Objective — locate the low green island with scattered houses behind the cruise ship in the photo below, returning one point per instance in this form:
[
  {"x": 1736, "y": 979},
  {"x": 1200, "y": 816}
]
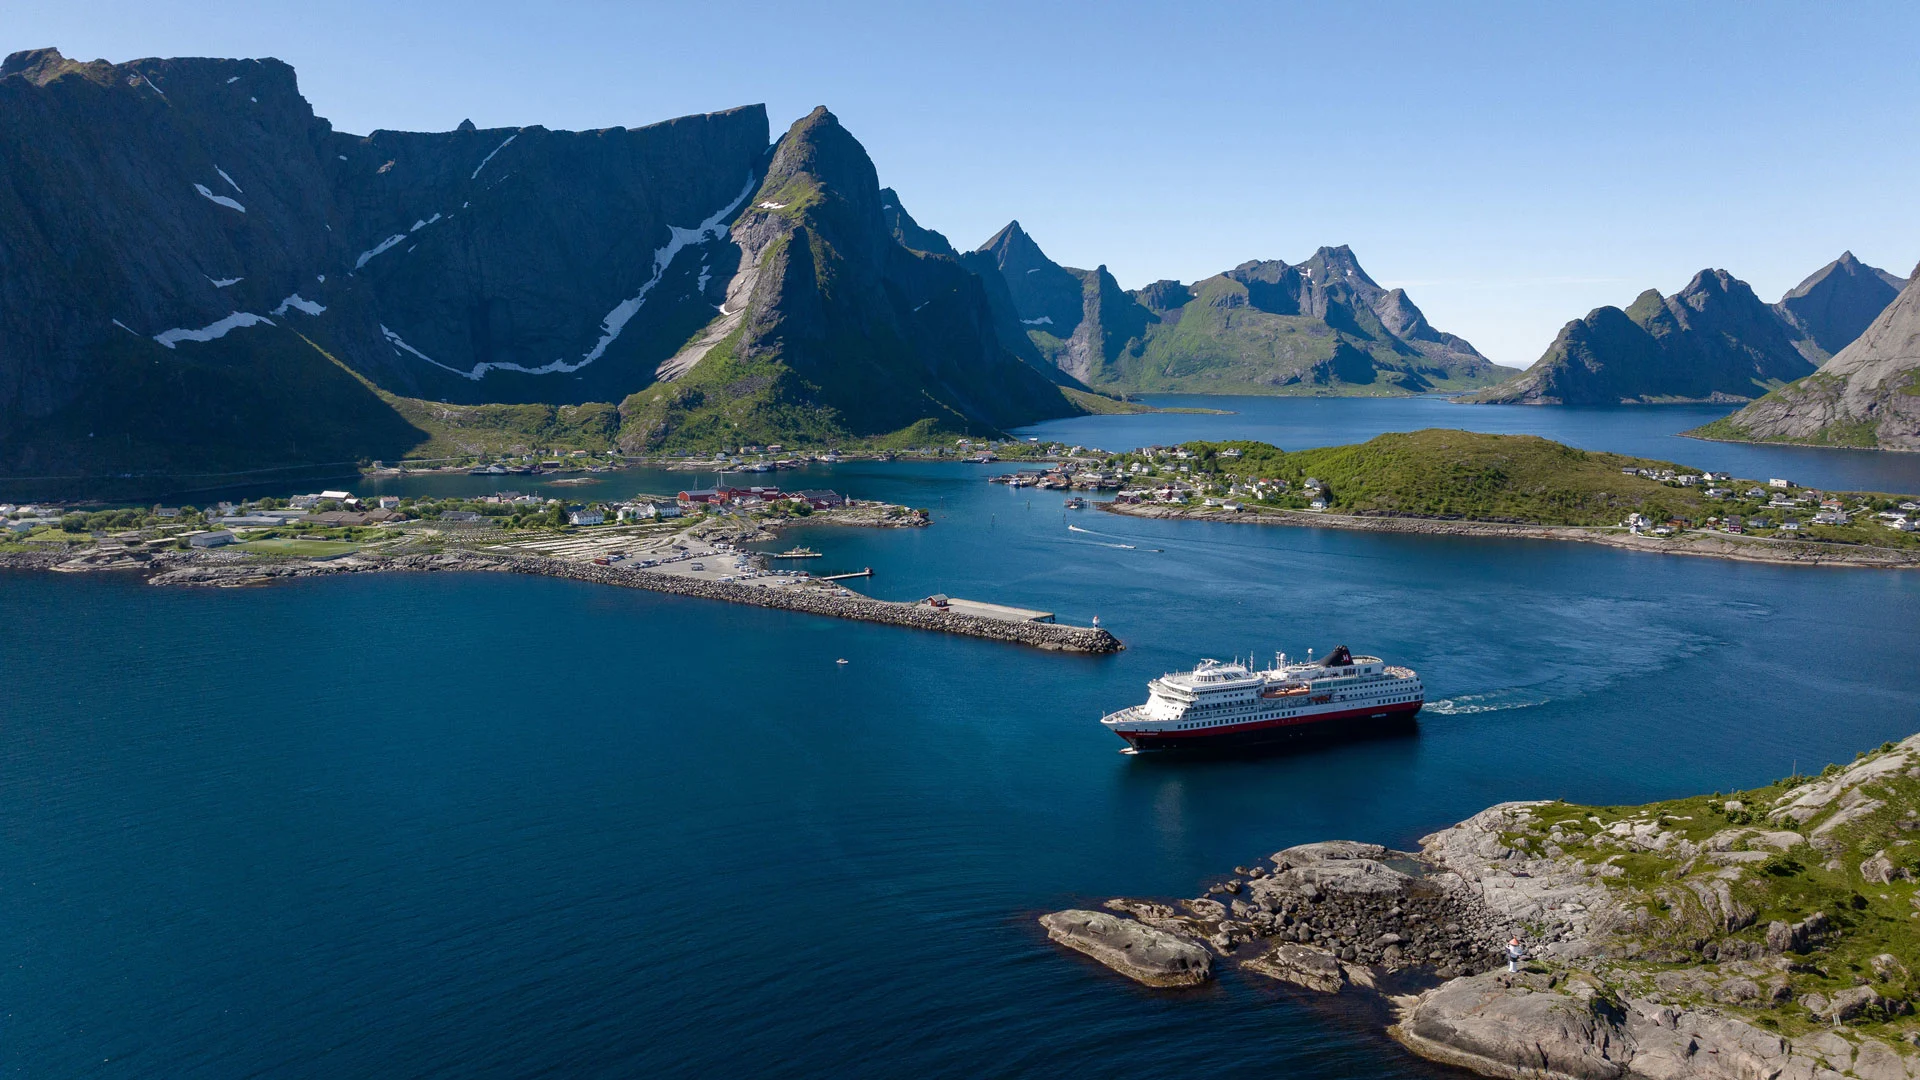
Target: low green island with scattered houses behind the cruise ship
[{"x": 1458, "y": 481}]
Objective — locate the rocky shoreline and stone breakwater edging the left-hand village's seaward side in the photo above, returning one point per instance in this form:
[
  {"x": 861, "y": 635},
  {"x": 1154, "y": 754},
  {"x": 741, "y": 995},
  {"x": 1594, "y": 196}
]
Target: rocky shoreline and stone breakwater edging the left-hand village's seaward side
[{"x": 233, "y": 570}]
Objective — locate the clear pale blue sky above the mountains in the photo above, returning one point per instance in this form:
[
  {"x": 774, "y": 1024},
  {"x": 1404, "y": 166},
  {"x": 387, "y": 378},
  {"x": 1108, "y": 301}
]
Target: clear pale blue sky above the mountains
[{"x": 1510, "y": 164}]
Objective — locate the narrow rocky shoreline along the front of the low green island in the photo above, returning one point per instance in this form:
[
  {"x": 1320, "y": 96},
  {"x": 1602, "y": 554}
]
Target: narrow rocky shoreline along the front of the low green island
[{"x": 1704, "y": 545}]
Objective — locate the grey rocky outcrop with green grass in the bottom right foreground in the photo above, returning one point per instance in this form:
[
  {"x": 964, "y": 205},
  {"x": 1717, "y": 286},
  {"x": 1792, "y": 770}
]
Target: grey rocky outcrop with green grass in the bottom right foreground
[{"x": 1765, "y": 935}]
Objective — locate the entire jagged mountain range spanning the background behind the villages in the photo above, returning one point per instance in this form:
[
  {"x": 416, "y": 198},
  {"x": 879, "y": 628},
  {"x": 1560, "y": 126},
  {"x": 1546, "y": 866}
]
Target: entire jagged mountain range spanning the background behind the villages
[{"x": 204, "y": 276}]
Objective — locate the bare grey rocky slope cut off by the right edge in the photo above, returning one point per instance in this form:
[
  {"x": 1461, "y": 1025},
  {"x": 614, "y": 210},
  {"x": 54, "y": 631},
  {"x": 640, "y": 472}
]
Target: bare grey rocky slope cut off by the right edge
[{"x": 1869, "y": 395}]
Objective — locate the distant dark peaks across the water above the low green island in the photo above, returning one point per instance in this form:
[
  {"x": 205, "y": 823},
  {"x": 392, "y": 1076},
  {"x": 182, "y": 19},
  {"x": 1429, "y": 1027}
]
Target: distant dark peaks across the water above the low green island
[{"x": 1714, "y": 341}]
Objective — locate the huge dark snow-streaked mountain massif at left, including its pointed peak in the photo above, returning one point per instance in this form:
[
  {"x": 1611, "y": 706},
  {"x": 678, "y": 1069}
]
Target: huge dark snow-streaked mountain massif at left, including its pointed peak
[{"x": 204, "y": 274}]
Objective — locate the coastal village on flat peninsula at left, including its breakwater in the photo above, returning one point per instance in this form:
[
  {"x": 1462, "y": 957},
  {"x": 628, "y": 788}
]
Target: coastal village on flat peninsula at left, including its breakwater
[{"x": 698, "y": 541}]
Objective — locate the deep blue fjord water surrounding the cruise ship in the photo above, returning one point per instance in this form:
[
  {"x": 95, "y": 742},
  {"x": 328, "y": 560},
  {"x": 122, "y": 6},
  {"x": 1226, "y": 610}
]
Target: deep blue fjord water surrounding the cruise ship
[{"x": 452, "y": 825}]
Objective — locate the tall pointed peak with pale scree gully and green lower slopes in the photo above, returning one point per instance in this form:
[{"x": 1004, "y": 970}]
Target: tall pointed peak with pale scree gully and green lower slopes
[{"x": 830, "y": 318}]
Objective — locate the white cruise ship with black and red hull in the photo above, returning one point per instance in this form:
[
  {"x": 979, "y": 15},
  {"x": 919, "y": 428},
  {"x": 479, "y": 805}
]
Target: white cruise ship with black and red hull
[{"x": 1228, "y": 706}]
